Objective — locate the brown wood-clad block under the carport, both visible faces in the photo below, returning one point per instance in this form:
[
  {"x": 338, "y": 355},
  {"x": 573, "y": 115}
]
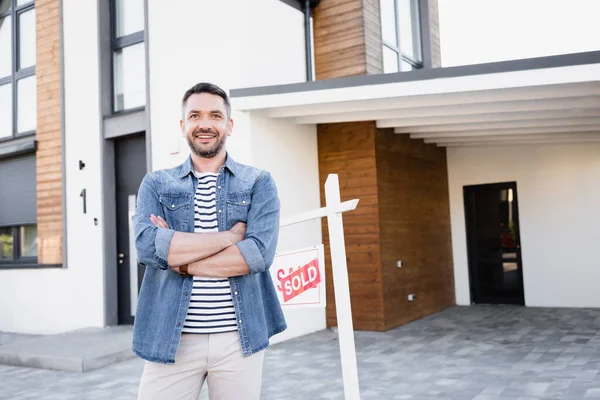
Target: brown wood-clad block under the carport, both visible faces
[{"x": 403, "y": 214}]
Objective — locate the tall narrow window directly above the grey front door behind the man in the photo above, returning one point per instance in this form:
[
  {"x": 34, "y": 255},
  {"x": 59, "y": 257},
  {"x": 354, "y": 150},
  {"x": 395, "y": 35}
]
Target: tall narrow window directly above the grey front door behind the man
[{"x": 128, "y": 55}]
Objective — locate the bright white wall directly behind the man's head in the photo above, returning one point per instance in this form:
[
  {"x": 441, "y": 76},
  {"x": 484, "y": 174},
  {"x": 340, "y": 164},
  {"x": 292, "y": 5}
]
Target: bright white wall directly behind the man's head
[{"x": 232, "y": 43}]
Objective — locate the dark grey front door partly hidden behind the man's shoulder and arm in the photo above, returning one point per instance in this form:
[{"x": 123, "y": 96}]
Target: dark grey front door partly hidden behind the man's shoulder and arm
[{"x": 130, "y": 168}]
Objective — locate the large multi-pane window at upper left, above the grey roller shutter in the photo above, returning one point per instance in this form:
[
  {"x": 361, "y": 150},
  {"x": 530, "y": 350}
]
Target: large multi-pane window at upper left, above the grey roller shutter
[{"x": 17, "y": 69}]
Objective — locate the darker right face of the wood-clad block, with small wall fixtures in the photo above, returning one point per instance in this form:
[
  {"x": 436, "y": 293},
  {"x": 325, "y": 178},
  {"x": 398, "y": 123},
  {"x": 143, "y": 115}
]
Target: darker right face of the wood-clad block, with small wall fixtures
[{"x": 414, "y": 221}]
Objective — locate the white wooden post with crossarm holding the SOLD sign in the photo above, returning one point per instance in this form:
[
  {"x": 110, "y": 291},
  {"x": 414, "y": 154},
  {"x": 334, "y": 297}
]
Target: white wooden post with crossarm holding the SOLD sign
[{"x": 333, "y": 211}]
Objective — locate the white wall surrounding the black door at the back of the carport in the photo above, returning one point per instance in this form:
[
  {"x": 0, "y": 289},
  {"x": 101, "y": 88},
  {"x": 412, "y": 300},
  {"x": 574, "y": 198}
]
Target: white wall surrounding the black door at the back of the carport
[{"x": 559, "y": 193}]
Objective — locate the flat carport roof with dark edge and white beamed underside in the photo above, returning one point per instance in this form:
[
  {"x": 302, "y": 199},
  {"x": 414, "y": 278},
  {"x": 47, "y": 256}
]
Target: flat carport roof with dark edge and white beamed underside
[{"x": 541, "y": 100}]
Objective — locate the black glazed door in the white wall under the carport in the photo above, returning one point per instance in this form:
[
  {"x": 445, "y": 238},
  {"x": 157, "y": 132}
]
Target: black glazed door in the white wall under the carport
[{"x": 494, "y": 245}]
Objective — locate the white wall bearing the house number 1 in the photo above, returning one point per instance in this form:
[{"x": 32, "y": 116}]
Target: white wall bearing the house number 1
[{"x": 55, "y": 300}]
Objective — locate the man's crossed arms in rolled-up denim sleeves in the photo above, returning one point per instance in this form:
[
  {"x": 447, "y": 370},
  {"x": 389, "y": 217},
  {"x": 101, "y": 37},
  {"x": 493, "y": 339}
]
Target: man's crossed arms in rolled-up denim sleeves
[{"x": 239, "y": 251}]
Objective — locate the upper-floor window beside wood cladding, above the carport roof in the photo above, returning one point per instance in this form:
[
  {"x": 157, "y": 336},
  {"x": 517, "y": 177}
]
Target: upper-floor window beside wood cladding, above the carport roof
[{"x": 400, "y": 35}]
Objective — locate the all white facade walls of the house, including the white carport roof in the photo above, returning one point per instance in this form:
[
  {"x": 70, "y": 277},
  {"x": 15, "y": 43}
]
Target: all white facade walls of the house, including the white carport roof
[{"x": 238, "y": 44}]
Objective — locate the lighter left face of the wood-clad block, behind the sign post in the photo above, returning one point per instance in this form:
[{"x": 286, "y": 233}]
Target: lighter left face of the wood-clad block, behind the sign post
[{"x": 349, "y": 151}]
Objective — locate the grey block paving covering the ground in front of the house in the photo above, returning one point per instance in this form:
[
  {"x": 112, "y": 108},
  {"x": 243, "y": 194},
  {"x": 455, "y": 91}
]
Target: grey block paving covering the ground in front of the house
[{"x": 417, "y": 361}]
